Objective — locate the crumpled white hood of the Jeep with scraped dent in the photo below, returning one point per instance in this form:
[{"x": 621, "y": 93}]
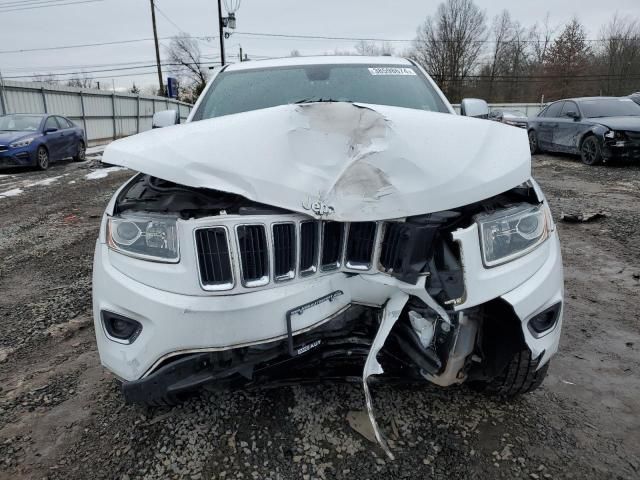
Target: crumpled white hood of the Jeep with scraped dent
[{"x": 338, "y": 161}]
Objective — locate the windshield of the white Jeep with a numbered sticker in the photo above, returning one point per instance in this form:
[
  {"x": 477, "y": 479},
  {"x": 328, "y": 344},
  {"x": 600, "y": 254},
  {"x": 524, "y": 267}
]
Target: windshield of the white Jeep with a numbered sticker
[{"x": 246, "y": 90}]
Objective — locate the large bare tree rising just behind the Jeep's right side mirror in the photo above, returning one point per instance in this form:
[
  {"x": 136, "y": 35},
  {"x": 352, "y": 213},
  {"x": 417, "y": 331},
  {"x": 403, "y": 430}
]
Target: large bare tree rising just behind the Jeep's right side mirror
[{"x": 450, "y": 43}]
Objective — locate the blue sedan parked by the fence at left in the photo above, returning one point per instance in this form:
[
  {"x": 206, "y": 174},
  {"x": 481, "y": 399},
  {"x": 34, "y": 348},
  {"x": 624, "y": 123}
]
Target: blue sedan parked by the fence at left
[{"x": 38, "y": 140}]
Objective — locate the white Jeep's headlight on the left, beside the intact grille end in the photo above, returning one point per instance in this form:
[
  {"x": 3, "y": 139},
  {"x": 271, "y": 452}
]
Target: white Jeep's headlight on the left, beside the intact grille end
[{"x": 146, "y": 237}]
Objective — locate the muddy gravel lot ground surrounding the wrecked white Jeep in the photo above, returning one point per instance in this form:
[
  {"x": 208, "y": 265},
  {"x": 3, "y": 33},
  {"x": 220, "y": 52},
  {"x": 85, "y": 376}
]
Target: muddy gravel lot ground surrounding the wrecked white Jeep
[{"x": 62, "y": 417}]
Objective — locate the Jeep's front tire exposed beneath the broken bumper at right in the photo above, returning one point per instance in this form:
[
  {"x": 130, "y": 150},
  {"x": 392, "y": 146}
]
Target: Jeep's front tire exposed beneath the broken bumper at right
[{"x": 521, "y": 375}]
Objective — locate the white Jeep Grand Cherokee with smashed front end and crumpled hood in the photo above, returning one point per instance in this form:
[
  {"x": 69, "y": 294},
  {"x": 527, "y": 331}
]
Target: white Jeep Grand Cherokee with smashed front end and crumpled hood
[{"x": 327, "y": 217}]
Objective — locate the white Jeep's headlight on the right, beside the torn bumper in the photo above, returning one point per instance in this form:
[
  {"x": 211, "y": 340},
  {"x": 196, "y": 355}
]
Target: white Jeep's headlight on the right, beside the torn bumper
[{"x": 508, "y": 234}]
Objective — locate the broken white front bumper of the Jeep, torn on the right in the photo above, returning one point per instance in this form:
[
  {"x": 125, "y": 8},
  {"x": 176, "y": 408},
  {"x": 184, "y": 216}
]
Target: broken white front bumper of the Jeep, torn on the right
[{"x": 175, "y": 324}]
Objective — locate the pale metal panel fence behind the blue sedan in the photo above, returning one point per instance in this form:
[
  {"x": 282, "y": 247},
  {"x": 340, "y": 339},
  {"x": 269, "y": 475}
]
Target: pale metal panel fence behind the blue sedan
[{"x": 104, "y": 115}]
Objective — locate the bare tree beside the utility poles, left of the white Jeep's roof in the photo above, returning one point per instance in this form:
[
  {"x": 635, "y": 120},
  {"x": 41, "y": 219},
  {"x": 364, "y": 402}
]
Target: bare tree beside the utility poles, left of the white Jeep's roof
[{"x": 186, "y": 62}]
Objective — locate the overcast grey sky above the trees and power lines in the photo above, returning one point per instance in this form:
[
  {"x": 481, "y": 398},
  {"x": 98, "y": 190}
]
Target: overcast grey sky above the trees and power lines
[{"x": 118, "y": 20}]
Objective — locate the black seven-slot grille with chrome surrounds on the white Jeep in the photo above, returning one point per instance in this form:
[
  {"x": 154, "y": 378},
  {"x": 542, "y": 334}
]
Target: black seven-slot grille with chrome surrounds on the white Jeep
[{"x": 281, "y": 251}]
